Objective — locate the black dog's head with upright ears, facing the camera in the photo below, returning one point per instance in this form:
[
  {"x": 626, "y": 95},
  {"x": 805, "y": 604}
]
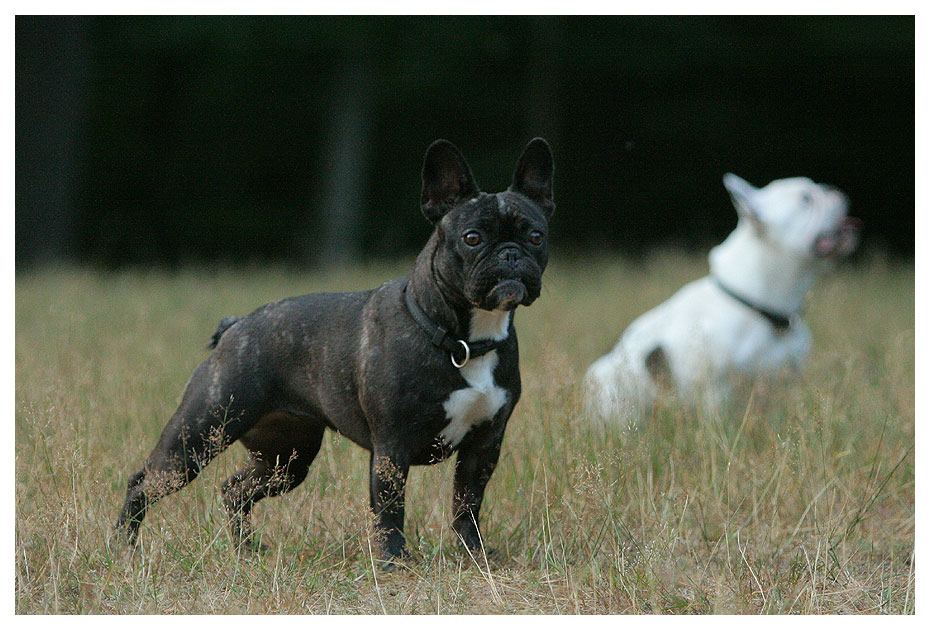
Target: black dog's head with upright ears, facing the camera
[{"x": 492, "y": 248}]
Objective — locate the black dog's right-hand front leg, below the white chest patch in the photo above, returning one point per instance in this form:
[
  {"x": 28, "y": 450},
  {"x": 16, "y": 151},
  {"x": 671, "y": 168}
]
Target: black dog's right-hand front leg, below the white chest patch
[{"x": 473, "y": 468}]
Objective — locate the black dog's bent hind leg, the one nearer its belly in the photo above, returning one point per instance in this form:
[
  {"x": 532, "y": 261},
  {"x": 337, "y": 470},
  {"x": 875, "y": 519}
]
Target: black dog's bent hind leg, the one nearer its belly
[{"x": 281, "y": 448}]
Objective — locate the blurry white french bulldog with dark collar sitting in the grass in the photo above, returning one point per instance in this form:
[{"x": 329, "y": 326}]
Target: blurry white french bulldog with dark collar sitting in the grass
[{"x": 743, "y": 318}]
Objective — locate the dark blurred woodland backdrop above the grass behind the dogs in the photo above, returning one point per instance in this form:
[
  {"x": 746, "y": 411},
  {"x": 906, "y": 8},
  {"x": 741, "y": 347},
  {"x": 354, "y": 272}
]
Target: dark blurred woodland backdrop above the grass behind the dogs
[{"x": 170, "y": 140}]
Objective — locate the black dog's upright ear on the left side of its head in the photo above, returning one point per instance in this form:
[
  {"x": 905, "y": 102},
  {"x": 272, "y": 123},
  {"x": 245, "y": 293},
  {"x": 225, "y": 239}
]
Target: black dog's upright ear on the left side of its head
[{"x": 447, "y": 180}]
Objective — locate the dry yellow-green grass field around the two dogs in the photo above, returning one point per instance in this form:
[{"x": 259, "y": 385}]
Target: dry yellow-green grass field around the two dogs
[{"x": 801, "y": 501}]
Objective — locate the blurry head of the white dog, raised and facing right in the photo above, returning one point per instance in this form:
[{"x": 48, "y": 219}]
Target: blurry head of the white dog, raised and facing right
[{"x": 797, "y": 215}]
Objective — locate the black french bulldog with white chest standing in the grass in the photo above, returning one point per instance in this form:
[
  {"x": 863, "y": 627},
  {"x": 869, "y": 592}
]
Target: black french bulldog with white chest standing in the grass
[{"x": 413, "y": 371}]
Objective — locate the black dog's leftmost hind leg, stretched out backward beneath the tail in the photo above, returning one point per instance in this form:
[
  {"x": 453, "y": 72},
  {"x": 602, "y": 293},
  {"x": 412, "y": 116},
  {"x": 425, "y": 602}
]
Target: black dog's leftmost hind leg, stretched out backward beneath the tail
[{"x": 208, "y": 419}]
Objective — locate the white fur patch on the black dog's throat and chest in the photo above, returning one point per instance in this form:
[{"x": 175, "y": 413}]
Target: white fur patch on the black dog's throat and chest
[{"x": 482, "y": 399}]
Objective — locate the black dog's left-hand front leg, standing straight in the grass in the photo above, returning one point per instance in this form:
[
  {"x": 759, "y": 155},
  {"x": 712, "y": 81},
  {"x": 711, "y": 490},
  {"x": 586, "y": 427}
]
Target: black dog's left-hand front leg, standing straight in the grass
[{"x": 388, "y": 482}]
